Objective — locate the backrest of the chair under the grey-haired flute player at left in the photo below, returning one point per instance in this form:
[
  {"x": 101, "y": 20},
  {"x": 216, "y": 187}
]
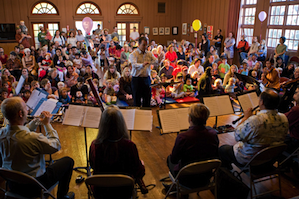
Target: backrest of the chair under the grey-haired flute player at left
[{"x": 18, "y": 177}]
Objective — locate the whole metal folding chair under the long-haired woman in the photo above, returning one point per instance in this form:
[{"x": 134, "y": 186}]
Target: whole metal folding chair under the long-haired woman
[{"x": 111, "y": 181}]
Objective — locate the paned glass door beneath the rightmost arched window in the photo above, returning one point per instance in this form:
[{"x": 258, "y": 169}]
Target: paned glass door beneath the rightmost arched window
[{"x": 124, "y": 29}]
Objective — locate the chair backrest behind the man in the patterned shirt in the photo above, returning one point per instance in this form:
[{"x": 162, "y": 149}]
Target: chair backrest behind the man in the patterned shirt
[{"x": 267, "y": 155}]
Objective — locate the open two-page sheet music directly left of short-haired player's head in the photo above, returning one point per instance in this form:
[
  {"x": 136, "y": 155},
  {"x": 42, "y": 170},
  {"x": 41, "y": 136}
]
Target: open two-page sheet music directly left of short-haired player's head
[{"x": 173, "y": 120}]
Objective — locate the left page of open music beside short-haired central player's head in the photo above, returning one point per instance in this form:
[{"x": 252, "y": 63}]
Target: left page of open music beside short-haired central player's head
[{"x": 169, "y": 121}]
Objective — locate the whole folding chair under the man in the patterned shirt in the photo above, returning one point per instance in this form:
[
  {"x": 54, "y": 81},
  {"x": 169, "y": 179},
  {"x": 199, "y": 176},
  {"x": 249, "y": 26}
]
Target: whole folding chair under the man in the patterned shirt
[{"x": 257, "y": 168}]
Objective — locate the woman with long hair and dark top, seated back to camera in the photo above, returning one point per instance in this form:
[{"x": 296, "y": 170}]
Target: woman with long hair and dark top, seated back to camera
[{"x": 113, "y": 152}]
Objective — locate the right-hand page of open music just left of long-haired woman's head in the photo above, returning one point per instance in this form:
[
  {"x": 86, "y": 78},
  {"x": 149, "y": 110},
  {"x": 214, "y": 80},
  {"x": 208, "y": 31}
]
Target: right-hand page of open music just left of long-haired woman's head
[{"x": 92, "y": 117}]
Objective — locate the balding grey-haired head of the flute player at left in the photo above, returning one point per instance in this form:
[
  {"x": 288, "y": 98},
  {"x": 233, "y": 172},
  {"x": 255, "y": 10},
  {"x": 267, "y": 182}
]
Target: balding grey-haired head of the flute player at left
[{"x": 14, "y": 110}]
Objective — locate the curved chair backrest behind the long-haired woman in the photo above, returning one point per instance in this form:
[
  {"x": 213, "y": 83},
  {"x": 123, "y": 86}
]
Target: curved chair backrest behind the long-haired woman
[{"x": 111, "y": 180}]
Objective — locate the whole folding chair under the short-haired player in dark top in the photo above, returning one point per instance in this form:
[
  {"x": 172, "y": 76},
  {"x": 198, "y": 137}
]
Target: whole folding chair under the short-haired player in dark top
[{"x": 191, "y": 171}]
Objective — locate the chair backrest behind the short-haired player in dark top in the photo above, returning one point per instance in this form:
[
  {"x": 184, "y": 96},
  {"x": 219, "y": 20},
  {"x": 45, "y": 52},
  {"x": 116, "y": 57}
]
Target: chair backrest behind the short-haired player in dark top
[{"x": 200, "y": 168}]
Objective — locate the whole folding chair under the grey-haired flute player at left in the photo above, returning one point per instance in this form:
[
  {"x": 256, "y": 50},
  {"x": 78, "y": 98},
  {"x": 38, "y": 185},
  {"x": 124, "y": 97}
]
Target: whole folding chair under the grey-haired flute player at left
[{"x": 22, "y": 178}]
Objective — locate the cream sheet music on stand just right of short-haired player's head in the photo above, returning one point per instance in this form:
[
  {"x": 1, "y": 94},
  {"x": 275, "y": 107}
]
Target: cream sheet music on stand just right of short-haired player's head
[{"x": 219, "y": 105}]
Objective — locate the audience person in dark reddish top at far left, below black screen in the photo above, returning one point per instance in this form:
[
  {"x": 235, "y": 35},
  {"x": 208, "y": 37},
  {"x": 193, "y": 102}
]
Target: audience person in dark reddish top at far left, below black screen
[{"x": 14, "y": 65}]
